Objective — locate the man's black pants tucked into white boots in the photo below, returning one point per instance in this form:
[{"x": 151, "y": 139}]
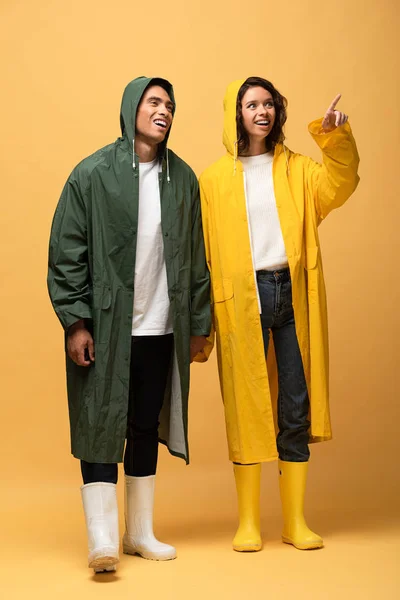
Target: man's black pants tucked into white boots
[{"x": 151, "y": 358}]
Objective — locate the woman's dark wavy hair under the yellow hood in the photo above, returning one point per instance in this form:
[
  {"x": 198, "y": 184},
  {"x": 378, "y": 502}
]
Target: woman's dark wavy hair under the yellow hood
[{"x": 276, "y": 135}]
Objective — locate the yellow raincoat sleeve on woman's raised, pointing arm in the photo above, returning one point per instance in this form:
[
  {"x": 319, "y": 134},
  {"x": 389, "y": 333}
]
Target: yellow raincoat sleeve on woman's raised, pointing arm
[{"x": 334, "y": 181}]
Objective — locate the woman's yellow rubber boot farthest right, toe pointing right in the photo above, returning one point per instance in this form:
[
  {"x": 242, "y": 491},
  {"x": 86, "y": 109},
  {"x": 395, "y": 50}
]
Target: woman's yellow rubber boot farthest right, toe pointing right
[{"x": 292, "y": 483}]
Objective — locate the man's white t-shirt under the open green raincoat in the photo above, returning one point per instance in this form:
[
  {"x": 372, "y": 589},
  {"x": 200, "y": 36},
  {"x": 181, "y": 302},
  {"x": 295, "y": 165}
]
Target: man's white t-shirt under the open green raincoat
[{"x": 151, "y": 305}]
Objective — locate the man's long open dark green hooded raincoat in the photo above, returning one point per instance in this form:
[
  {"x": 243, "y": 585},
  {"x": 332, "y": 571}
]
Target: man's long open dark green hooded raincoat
[{"x": 91, "y": 276}]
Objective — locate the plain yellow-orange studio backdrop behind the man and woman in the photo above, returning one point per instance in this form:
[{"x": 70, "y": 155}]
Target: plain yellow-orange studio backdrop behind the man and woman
[{"x": 64, "y": 68}]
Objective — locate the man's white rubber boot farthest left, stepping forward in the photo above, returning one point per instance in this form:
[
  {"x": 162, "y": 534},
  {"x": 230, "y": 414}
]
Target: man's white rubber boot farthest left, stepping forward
[{"x": 101, "y": 516}]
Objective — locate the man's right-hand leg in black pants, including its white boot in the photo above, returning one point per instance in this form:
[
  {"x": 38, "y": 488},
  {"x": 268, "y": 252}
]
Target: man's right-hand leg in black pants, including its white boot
[{"x": 150, "y": 364}]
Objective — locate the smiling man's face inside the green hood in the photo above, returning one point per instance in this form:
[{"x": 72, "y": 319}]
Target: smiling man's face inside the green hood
[{"x": 154, "y": 115}]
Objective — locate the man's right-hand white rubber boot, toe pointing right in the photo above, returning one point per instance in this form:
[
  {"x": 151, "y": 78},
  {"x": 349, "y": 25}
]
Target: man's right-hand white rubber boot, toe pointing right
[{"x": 139, "y": 537}]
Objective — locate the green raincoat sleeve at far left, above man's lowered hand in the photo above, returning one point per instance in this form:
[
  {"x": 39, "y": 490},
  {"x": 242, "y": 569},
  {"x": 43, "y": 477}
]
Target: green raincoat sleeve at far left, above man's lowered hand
[{"x": 68, "y": 278}]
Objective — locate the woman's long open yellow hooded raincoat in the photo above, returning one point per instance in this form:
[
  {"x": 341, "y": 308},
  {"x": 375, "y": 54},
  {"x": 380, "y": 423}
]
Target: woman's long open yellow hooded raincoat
[{"x": 305, "y": 193}]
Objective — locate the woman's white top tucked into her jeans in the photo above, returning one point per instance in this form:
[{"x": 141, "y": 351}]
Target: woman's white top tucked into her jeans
[{"x": 267, "y": 243}]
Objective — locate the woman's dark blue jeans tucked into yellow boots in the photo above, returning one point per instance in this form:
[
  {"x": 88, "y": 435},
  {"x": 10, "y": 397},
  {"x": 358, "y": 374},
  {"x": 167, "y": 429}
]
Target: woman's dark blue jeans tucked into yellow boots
[{"x": 275, "y": 289}]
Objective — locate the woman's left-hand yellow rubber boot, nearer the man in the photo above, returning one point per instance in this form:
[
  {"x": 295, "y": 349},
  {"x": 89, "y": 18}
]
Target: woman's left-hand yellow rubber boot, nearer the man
[{"x": 248, "y": 537}]
